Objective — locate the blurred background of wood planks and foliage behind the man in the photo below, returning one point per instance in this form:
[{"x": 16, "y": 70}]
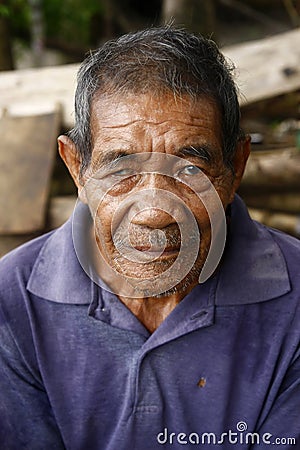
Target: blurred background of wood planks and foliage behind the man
[{"x": 43, "y": 41}]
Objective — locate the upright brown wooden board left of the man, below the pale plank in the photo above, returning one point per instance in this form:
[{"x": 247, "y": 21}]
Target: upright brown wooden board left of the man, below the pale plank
[{"x": 27, "y": 154}]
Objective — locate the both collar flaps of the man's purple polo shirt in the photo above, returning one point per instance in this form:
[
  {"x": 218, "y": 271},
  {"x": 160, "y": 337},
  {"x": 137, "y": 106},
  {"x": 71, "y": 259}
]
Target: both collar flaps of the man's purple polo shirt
[{"x": 253, "y": 268}]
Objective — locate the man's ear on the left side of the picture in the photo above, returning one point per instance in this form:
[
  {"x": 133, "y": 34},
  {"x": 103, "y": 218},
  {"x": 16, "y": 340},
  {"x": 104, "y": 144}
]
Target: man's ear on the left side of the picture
[{"x": 69, "y": 155}]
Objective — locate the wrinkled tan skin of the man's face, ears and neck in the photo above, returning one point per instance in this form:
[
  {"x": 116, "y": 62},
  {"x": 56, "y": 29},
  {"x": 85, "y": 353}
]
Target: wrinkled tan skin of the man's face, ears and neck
[{"x": 147, "y": 124}]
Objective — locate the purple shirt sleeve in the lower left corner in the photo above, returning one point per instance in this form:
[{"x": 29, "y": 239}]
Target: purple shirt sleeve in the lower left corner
[{"x": 26, "y": 418}]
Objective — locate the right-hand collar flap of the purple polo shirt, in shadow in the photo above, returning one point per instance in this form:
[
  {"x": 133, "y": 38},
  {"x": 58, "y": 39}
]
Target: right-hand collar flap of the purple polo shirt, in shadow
[{"x": 253, "y": 268}]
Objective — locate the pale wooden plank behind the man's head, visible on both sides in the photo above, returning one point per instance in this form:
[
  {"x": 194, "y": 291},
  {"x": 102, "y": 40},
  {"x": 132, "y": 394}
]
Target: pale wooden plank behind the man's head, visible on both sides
[{"x": 265, "y": 68}]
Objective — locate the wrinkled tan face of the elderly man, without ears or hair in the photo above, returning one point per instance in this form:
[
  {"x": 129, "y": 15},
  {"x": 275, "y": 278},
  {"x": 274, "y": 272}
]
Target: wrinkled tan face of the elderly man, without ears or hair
[{"x": 155, "y": 163}]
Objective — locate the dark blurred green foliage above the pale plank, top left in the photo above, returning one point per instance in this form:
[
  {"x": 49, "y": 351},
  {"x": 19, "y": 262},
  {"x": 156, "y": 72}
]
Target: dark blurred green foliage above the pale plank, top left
[{"x": 74, "y": 26}]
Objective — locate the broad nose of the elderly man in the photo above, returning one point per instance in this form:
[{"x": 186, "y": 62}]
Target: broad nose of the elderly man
[{"x": 156, "y": 206}]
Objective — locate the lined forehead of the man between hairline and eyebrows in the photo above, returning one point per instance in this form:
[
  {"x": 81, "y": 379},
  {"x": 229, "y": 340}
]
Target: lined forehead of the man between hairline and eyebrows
[{"x": 159, "y": 119}]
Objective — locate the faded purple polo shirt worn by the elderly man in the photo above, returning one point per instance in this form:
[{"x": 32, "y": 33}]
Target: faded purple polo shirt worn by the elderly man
[{"x": 79, "y": 371}]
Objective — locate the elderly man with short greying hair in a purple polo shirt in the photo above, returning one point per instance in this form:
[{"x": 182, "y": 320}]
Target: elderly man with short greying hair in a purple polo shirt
[{"x": 160, "y": 315}]
